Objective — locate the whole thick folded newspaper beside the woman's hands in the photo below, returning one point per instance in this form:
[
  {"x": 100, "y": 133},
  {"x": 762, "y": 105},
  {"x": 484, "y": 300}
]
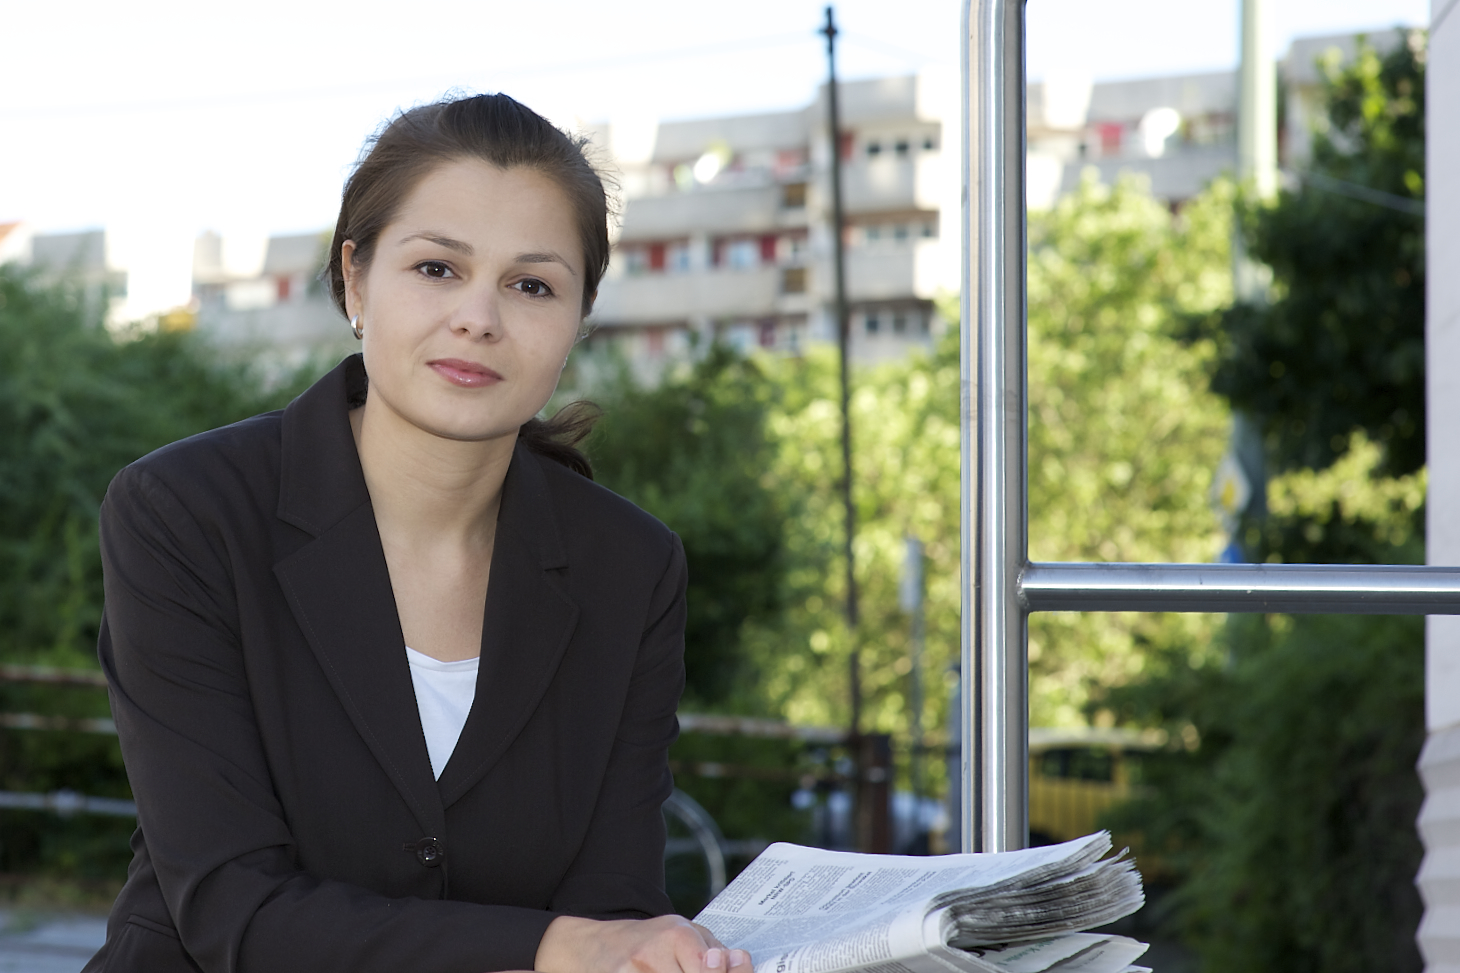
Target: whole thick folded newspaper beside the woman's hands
[{"x": 811, "y": 911}]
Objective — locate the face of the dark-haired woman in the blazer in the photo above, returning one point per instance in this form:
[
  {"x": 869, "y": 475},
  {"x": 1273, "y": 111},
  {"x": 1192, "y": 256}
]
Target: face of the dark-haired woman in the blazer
[{"x": 472, "y": 302}]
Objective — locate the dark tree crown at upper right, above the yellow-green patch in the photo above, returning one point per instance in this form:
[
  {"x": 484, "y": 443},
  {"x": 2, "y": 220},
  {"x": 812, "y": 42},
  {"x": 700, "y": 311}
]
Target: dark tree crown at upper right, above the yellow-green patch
[{"x": 1341, "y": 346}]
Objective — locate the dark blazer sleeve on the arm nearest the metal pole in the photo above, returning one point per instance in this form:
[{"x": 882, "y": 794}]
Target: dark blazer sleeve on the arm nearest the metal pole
[{"x": 620, "y": 871}]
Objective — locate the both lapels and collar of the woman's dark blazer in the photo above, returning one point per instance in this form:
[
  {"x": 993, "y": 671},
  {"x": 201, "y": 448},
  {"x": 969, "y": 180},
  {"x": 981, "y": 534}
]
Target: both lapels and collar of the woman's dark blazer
[{"x": 339, "y": 591}]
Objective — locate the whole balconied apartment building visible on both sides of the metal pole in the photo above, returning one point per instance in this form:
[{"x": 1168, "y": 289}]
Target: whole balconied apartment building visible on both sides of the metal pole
[{"x": 726, "y": 223}]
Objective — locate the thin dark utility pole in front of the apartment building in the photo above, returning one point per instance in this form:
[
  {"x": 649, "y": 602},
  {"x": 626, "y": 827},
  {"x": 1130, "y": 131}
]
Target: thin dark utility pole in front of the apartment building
[{"x": 839, "y": 224}]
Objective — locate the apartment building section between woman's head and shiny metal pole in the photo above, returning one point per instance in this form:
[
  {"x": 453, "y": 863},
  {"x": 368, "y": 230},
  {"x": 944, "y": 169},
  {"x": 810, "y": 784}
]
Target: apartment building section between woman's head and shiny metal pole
[{"x": 726, "y": 227}]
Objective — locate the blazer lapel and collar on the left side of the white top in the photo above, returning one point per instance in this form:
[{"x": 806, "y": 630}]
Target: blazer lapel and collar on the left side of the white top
[{"x": 339, "y": 587}]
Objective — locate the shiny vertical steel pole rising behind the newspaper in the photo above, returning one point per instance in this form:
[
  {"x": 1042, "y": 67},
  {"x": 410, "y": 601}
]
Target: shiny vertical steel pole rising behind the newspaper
[{"x": 995, "y": 503}]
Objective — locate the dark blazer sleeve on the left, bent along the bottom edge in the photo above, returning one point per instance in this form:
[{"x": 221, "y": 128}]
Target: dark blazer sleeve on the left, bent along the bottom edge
[{"x": 212, "y": 825}]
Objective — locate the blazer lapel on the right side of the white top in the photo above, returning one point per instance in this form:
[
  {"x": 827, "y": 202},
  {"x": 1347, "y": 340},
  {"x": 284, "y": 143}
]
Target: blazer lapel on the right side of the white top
[{"x": 528, "y": 623}]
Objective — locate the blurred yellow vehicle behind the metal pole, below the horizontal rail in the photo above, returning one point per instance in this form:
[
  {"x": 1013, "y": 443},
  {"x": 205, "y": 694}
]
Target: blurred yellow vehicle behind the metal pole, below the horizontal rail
[{"x": 1075, "y": 775}]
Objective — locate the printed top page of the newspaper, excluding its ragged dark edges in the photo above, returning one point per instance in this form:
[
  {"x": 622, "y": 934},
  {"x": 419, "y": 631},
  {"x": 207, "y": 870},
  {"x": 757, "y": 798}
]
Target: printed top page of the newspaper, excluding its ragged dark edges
[{"x": 811, "y": 911}]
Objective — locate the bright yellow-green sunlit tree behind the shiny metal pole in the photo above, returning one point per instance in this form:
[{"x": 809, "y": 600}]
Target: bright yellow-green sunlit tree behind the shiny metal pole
[{"x": 1123, "y": 440}]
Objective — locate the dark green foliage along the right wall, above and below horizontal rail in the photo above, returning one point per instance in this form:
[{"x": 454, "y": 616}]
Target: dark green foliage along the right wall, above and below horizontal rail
[{"x": 1290, "y": 823}]
